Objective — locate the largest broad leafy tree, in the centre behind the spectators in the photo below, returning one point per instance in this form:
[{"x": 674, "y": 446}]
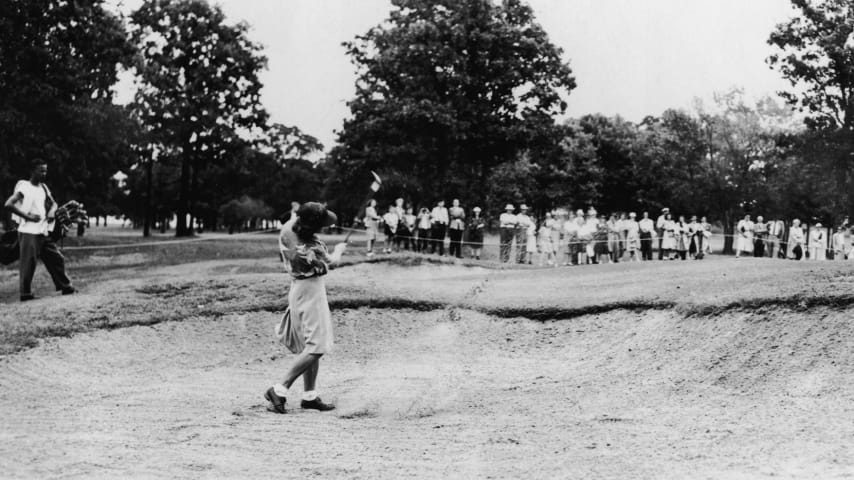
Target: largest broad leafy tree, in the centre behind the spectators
[{"x": 447, "y": 90}]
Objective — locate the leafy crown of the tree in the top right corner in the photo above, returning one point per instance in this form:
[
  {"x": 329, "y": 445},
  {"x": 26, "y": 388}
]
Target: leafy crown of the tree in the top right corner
[{"x": 817, "y": 57}]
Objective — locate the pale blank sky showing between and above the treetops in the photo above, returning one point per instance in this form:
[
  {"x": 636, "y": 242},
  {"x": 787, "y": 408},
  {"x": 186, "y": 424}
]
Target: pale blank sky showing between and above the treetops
[{"x": 631, "y": 58}]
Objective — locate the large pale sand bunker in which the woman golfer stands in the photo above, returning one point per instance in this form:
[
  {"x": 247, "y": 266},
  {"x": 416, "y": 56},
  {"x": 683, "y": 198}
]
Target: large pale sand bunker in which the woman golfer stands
[{"x": 443, "y": 394}]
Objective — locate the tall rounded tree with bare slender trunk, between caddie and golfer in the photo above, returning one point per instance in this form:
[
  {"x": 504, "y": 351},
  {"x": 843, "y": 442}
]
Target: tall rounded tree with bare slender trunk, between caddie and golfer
[{"x": 199, "y": 91}]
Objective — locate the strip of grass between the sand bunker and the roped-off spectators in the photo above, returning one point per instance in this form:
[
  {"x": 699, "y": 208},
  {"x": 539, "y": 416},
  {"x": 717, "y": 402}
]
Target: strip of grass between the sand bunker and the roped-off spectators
[{"x": 146, "y": 285}]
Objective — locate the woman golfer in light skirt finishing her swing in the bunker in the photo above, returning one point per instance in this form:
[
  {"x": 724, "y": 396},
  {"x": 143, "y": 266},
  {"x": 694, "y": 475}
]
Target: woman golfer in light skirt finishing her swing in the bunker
[{"x": 306, "y": 327}]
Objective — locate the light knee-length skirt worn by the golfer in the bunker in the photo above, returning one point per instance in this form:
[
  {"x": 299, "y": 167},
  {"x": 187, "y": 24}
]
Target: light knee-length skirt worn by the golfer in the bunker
[{"x": 307, "y": 323}]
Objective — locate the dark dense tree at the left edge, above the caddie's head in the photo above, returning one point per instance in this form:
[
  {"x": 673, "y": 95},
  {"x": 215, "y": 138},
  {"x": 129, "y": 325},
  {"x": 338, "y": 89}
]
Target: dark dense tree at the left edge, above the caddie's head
[{"x": 59, "y": 61}]
